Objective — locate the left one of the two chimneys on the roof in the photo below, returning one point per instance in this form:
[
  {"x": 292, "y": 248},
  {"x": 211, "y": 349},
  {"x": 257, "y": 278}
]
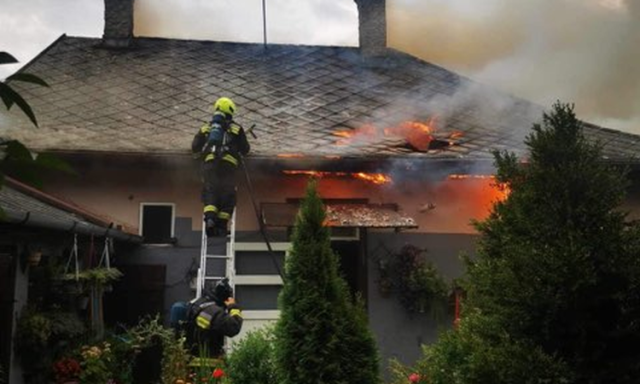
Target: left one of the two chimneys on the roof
[{"x": 118, "y": 23}]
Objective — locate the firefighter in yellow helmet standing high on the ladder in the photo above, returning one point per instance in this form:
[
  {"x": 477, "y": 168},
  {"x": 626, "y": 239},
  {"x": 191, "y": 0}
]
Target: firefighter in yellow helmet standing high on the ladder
[{"x": 220, "y": 144}]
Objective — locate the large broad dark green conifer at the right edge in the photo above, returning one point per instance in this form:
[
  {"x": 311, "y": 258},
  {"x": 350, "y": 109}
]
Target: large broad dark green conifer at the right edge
[{"x": 557, "y": 272}]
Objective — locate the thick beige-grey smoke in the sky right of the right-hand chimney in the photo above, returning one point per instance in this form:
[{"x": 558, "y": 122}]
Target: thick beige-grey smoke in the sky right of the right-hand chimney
[{"x": 582, "y": 51}]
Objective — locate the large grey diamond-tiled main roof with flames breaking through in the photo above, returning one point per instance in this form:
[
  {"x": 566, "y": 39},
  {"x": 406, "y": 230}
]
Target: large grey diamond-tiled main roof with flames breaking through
[{"x": 153, "y": 98}]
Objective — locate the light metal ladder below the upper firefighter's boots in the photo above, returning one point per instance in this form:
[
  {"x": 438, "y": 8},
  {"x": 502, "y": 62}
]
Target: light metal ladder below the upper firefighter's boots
[{"x": 205, "y": 275}]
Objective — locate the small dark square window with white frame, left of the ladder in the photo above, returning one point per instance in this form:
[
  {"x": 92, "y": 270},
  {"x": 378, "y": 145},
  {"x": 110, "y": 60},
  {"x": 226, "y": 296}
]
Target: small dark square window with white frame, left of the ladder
[{"x": 157, "y": 222}]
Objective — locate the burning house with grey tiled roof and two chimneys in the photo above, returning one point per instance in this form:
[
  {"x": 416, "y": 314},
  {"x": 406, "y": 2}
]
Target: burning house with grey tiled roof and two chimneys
[{"x": 402, "y": 149}]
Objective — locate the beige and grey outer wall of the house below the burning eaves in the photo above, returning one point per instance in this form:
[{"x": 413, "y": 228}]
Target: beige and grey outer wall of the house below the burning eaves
[{"x": 444, "y": 231}]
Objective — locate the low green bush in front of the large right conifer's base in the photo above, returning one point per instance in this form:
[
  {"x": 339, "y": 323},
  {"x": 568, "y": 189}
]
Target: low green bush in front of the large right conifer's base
[{"x": 478, "y": 354}]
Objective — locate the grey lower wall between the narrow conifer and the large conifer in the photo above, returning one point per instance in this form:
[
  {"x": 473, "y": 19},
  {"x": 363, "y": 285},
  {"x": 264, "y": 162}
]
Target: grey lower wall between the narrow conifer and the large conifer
[{"x": 400, "y": 335}]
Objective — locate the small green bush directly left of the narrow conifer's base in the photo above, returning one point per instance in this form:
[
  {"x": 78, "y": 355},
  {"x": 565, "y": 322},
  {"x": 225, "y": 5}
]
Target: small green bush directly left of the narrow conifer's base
[{"x": 253, "y": 360}]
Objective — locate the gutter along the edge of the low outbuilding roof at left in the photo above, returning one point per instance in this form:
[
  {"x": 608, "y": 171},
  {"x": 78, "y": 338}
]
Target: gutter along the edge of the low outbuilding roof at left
[{"x": 31, "y": 219}]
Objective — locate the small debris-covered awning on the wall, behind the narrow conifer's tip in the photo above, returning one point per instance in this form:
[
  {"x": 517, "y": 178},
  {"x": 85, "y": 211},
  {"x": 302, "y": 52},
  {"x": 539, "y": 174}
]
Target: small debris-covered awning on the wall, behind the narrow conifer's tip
[{"x": 358, "y": 215}]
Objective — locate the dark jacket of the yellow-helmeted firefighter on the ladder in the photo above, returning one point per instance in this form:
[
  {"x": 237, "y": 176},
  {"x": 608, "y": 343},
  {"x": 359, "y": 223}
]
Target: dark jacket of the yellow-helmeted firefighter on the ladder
[{"x": 221, "y": 139}]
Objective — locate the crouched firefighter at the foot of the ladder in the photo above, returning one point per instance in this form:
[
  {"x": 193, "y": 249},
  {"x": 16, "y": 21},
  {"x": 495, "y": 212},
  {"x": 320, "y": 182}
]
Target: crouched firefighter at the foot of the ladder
[{"x": 208, "y": 319}]
